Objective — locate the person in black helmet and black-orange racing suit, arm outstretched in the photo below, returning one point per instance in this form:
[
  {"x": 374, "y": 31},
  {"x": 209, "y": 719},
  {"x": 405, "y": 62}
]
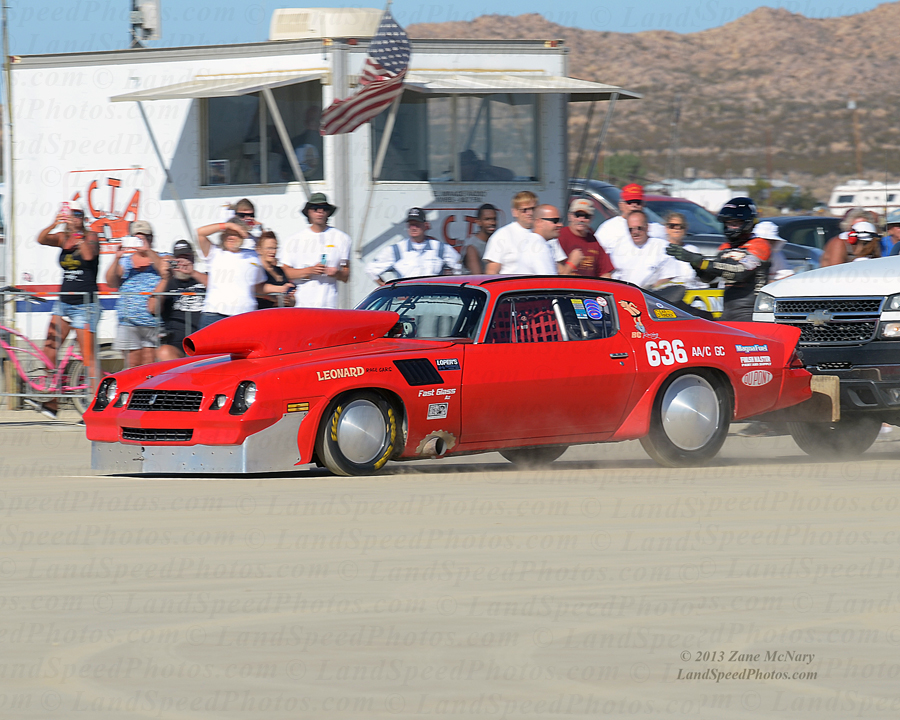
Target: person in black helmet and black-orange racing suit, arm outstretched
[{"x": 742, "y": 262}]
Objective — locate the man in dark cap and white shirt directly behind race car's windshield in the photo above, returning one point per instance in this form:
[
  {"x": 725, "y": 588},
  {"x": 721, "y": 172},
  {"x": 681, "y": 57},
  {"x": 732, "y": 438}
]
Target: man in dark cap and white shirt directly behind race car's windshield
[{"x": 416, "y": 255}]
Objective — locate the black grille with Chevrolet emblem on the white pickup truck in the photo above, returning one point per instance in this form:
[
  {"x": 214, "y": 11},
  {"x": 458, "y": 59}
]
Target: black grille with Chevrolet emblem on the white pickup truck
[{"x": 831, "y": 321}]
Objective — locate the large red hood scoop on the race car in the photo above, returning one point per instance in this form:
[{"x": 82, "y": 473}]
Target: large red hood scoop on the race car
[{"x": 280, "y": 331}]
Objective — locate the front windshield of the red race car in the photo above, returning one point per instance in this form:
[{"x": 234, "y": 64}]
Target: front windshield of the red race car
[{"x": 430, "y": 311}]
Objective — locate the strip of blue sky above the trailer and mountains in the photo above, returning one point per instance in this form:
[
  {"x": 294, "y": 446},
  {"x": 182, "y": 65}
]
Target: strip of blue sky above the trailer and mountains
[{"x": 52, "y": 26}]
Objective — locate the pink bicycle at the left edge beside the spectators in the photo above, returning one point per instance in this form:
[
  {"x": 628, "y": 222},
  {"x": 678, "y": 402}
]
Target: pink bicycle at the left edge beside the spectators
[{"x": 39, "y": 379}]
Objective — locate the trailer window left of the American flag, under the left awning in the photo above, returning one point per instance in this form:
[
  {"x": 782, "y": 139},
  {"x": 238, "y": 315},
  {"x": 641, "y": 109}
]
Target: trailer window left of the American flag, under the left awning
[{"x": 242, "y": 143}]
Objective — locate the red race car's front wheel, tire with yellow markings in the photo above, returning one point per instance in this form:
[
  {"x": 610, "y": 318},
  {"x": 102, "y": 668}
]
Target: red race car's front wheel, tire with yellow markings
[{"x": 359, "y": 433}]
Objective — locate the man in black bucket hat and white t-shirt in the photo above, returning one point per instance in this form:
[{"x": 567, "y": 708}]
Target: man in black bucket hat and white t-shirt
[{"x": 318, "y": 257}]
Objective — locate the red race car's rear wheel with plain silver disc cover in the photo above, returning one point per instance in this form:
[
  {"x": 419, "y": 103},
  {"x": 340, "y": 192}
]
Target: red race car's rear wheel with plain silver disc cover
[{"x": 690, "y": 419}]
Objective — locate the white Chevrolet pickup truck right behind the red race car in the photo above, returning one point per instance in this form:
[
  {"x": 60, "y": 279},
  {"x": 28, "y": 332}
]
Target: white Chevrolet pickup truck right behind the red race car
[{"x": 849, "y": 317}]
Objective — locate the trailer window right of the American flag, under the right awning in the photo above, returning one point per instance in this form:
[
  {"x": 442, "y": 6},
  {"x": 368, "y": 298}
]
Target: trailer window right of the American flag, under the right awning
[{"x": 461, "y": 138}]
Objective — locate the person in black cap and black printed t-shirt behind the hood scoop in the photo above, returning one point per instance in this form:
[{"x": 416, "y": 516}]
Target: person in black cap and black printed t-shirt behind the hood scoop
[{"x": 182, "y": 304}]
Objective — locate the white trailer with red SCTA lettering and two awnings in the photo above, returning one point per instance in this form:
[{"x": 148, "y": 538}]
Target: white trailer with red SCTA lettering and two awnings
[{"x": 174, "y": 135}]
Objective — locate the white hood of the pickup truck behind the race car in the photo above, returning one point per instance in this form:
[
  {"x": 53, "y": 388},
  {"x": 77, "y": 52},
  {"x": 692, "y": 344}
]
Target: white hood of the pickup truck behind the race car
[{"x": 866, "y": 277}]
